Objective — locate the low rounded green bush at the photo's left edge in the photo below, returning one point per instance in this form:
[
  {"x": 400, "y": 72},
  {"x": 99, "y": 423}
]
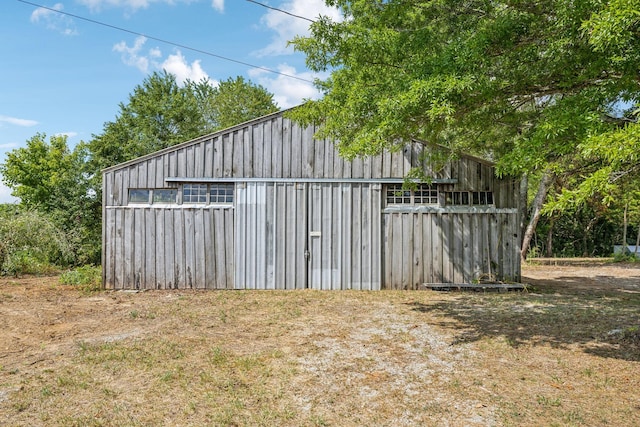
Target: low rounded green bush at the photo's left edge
[{"x": 30, "y": 243}]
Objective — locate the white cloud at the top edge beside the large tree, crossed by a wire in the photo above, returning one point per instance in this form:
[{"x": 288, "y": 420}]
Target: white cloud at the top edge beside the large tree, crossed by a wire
[{"x": 286, "y": 27}]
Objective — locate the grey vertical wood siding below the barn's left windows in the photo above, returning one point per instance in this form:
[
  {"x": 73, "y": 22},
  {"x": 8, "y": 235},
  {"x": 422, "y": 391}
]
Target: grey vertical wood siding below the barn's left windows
[{"x": 154, "y": 248}]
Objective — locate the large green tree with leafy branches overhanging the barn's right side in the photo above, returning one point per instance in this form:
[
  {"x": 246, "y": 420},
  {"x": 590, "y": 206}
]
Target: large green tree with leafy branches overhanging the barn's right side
[{"x": 523, "y": 83}]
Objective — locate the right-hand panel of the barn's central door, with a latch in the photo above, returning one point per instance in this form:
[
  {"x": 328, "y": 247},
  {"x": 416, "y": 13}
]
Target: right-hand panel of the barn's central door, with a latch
[{"x": 344, "y": 225}]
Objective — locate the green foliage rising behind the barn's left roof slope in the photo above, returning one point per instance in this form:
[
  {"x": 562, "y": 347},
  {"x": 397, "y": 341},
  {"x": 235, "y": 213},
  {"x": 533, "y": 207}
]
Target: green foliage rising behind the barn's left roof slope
[{"x": 160, "y": 114}]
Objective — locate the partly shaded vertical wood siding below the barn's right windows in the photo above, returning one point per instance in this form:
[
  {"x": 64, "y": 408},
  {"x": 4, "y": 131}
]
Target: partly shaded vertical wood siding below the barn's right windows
[{"x": 449, "y": 247}]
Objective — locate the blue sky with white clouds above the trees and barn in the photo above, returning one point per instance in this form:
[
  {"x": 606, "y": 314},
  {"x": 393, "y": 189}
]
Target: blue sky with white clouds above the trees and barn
[{"x": 64, "y": 75}]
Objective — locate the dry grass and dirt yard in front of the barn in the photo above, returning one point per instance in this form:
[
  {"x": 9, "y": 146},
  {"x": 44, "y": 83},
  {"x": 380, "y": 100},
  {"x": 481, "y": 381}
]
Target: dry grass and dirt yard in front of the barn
[{"x": 562, "y": 353}]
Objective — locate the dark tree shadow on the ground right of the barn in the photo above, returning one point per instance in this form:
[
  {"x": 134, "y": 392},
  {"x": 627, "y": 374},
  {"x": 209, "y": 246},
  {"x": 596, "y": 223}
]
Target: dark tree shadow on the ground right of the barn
[{"x": 602, "y": 321}]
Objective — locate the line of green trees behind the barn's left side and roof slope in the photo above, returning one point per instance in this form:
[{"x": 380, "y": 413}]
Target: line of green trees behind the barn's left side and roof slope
[{"x": 64, "y": 185}]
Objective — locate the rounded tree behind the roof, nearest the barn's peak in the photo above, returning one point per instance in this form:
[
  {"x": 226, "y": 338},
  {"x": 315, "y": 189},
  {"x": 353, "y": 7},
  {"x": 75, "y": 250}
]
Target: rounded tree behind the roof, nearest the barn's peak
[{"x": 231, "y": 102}]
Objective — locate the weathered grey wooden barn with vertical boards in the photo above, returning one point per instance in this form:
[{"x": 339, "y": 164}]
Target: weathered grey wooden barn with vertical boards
[{"x": 264, "y": 205}]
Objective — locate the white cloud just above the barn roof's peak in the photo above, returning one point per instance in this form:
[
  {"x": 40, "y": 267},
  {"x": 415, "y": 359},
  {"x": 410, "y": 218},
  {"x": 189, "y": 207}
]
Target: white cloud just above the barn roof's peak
[{"x": 288, "y": 92}]
